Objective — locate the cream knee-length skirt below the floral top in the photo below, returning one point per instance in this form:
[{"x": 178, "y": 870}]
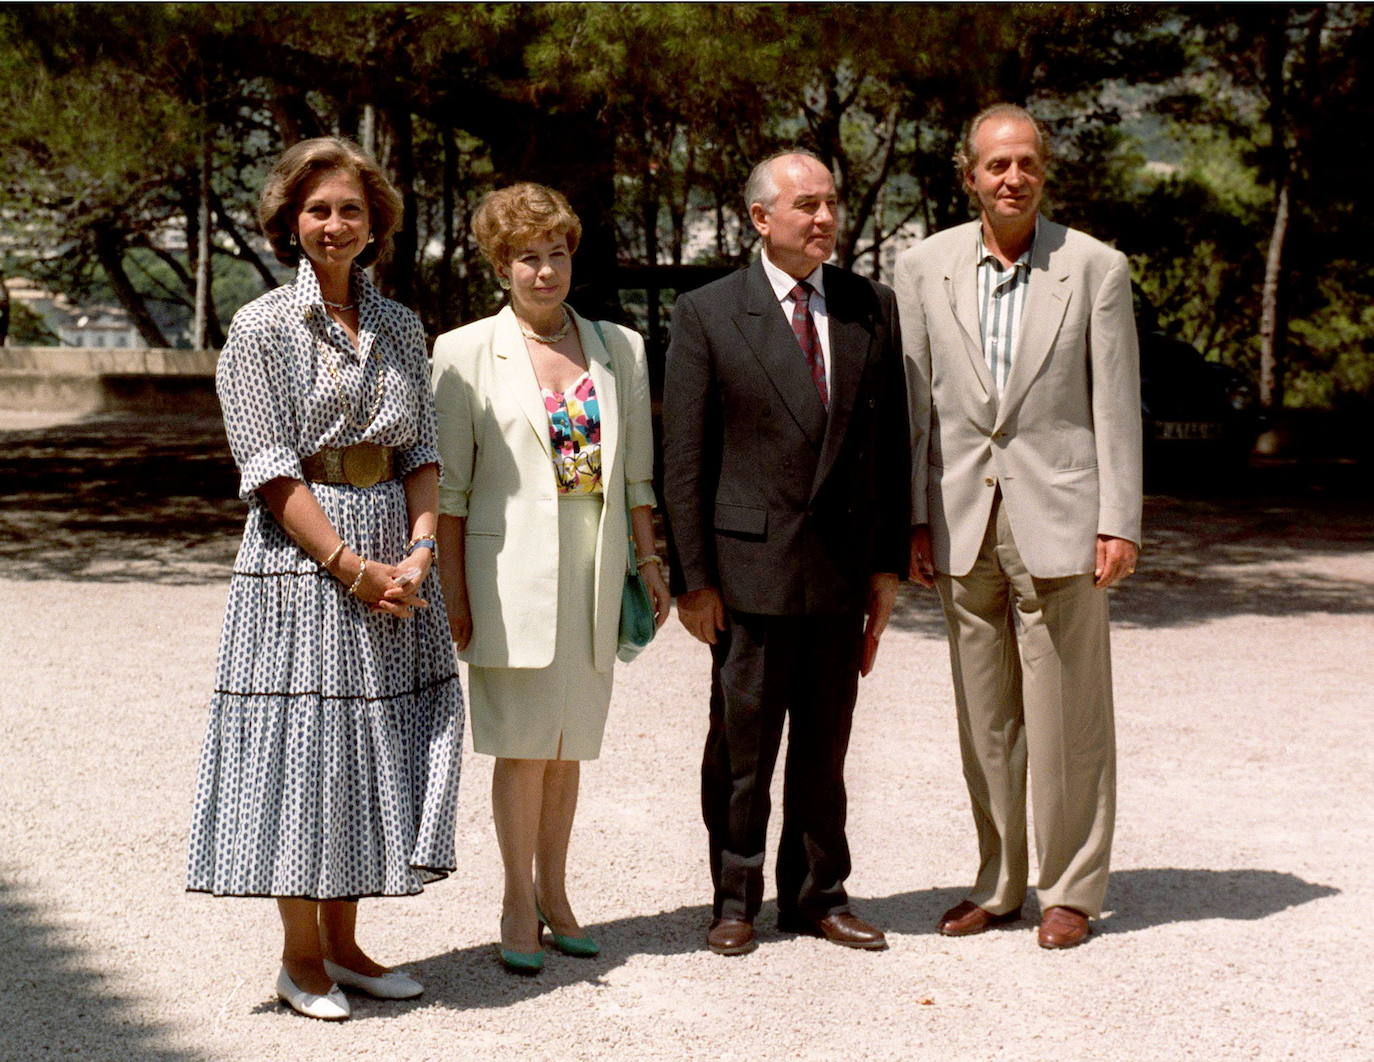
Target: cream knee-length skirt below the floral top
[{"x": 556, "y": 712}]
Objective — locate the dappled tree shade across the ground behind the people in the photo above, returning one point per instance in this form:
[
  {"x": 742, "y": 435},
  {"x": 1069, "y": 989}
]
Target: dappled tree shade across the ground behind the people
[{"x": 116, "y": 498}]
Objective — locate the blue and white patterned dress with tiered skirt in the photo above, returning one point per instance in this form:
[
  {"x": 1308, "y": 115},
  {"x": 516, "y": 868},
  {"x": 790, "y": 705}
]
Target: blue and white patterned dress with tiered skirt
[{"x": 332, "y": 759}]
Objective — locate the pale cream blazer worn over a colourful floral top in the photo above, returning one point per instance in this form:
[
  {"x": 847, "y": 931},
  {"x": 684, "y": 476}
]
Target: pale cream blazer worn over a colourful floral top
[{"x": 499, "y": 475}]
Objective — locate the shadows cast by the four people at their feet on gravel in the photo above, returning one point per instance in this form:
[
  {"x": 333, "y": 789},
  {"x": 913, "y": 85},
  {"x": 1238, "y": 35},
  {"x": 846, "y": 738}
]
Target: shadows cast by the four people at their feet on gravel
[{"x": 1140, "y": 899}]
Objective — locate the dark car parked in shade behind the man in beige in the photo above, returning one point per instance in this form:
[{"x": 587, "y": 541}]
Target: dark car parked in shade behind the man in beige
[{"x": 1199, "y": 417}]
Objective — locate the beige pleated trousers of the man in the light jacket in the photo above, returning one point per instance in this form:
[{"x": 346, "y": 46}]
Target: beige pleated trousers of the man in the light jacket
[{"x": 1033, "y": 681}]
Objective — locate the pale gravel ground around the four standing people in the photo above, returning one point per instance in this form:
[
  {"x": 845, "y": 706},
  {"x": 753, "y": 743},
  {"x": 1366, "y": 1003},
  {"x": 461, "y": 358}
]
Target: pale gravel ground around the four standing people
[{"x": 1244, "y": 855}]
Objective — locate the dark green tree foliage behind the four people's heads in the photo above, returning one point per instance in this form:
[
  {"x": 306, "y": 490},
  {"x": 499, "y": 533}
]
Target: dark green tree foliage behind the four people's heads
[{"x": 1173, "y": 128}]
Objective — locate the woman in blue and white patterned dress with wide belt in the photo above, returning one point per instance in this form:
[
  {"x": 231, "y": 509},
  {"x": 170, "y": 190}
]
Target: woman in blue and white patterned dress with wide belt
[{"x": 330, "y": 765}]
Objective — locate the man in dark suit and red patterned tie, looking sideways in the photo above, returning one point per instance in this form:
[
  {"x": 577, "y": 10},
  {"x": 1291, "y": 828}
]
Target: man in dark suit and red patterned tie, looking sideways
[{"x": 787, "y": 476}]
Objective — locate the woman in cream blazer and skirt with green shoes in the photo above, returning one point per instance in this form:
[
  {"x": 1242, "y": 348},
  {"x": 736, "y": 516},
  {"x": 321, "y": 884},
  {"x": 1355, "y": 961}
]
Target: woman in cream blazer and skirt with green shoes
[{"x": 546, "y": 438}]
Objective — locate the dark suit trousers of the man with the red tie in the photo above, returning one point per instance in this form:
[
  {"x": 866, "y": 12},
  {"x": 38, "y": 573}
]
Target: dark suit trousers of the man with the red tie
[{"x": 767, "y": 668}]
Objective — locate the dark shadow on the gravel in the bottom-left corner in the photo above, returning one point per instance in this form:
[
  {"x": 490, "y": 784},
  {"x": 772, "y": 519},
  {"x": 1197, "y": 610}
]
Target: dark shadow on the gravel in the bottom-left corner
[{"x": 57, "y": 1005}]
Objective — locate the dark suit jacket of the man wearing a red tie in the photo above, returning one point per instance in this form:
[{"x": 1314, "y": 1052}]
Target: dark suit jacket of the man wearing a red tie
[{"x": 782, "y": 508}]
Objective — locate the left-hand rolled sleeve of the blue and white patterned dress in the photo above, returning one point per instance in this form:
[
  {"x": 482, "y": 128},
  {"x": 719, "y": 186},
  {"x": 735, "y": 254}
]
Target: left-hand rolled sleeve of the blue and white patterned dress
[{"x": 254, "y": 384}]
